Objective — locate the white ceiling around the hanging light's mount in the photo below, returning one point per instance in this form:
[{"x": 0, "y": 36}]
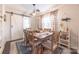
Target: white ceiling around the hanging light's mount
[{"x": 28, "y": 8}]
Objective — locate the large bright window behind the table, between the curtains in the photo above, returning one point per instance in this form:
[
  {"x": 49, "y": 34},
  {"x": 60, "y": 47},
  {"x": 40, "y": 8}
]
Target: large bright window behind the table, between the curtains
[{"x": 47, "y": 22}]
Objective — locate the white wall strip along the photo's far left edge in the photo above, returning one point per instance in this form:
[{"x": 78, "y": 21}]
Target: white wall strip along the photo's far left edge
[{"x": 2, "y": 40}]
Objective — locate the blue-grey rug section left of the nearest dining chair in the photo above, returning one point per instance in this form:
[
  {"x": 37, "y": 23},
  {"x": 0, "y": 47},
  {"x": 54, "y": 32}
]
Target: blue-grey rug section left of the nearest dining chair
[{"x": 23, "y": 49}]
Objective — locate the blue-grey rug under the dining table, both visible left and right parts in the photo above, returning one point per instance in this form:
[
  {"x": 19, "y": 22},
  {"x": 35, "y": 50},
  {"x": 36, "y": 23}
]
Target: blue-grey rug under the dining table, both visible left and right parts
[{"x": 22, "y": 49}]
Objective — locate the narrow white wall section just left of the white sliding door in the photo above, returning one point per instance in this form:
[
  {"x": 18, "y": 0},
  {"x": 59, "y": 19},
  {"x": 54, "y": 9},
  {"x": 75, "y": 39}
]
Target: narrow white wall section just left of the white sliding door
[{"x": 6, "y": 28}]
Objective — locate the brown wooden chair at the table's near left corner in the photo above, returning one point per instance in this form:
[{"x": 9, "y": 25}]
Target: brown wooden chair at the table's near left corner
[{"x": 33, "y": 42}]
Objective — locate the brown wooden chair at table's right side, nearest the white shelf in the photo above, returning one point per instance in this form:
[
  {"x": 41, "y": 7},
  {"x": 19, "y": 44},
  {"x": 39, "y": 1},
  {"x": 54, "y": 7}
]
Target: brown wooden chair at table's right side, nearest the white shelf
[{"x": 53, "y": 43}]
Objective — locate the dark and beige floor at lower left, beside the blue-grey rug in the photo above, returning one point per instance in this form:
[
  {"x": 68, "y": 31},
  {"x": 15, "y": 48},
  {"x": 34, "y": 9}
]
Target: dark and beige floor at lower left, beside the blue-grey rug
[{"x": 10, "y": 47}]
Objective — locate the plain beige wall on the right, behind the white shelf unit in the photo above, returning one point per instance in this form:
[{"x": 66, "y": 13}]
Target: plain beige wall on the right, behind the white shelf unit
[{"x": 71, "y": 11}]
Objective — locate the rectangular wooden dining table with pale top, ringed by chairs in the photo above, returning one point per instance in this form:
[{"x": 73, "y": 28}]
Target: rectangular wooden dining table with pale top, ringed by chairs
[{"x": 41, "y": 37}]
